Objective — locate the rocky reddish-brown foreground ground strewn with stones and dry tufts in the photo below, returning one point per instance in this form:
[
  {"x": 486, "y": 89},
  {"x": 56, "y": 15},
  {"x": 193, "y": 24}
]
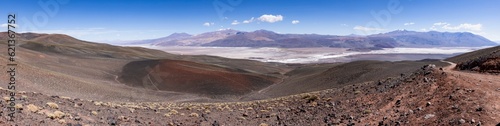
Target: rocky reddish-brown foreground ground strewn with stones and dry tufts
[{"x": 429, "y": 96}]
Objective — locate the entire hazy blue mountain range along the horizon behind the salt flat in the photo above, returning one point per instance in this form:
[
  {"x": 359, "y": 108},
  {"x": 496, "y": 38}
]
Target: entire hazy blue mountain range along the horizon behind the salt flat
[{"x": 264, "y": 38}]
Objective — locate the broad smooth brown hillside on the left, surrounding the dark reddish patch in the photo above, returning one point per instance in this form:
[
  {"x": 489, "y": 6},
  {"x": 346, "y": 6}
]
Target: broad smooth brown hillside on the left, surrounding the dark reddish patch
[{"x": 62, "y": 65}]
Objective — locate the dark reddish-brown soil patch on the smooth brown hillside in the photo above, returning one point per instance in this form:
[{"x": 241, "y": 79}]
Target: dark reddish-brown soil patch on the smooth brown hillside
[{"x": 192, "y": 77}]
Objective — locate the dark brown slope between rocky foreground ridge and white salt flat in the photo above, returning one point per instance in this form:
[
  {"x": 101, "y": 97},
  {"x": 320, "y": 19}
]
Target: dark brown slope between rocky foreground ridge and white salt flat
[{"x": 316, "y": 77}]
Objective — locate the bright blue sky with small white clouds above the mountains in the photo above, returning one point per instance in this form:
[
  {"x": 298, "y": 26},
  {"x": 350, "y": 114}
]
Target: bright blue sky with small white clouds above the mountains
[{"x": 110, "y": 20}]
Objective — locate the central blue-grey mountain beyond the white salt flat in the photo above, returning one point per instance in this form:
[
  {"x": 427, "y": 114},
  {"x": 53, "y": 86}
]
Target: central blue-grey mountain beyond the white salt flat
[{"x": 263, "y": 38}]
